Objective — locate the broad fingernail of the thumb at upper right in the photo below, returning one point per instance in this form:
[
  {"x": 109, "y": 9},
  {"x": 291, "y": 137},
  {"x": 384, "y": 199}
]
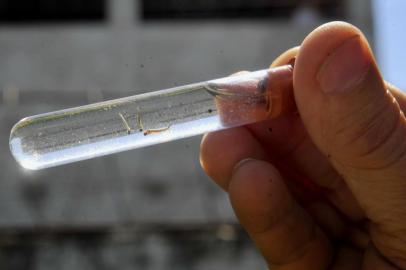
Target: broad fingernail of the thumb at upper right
[{"x": 346, "y": 67}]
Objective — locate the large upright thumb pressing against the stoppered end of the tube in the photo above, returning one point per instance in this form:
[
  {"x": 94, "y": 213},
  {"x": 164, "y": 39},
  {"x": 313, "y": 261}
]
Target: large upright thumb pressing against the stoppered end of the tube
[{"x": 358, "y": 125}]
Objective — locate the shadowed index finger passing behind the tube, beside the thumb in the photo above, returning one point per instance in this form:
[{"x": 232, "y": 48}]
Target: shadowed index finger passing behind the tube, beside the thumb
[{"x": 288, "y": 140}]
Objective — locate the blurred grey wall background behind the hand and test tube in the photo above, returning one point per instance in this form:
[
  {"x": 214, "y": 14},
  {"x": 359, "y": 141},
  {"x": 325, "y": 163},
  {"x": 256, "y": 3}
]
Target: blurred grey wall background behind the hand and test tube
[{"x": 151, "y": 208}]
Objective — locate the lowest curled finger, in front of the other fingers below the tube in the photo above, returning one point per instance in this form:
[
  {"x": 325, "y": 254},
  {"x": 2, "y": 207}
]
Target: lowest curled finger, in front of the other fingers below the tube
[{"x": 283, "y": 232}]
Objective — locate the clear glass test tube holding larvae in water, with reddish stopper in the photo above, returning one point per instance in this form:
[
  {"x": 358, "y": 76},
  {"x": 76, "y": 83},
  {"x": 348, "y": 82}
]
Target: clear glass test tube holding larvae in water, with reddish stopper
[{"x": 99, "y": 129}]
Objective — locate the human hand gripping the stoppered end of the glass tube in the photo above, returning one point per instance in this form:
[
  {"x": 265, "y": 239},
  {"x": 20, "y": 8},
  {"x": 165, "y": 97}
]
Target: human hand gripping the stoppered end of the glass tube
[{"x": 324, "y": 188}]
